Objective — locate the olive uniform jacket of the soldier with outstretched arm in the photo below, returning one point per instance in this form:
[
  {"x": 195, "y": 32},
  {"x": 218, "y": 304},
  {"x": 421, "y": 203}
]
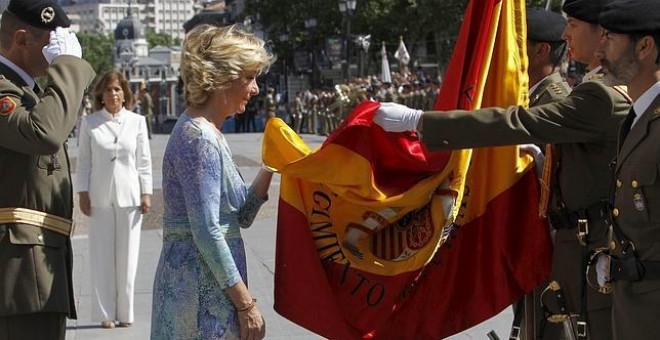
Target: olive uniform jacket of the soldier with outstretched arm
[{"x": 584, "y": 128}]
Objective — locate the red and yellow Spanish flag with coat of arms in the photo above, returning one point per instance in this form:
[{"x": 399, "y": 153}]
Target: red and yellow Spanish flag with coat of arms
[{"x": 379, "y": 238}]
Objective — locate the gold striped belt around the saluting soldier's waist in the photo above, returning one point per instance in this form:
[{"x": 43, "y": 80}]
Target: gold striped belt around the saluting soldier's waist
[{"x": 36, "y": 218}]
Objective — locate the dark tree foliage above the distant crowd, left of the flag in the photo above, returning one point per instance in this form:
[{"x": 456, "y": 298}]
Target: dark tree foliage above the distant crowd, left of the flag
[{"x": 429, "y": 24}]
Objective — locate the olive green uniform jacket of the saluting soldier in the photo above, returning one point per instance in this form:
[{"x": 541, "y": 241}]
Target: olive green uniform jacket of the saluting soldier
[{"x": 36, "y": 264}]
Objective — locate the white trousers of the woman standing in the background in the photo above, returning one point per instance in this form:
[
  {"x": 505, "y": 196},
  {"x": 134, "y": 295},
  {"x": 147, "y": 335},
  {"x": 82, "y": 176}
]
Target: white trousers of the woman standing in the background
[{"x": 114, "y": 244}]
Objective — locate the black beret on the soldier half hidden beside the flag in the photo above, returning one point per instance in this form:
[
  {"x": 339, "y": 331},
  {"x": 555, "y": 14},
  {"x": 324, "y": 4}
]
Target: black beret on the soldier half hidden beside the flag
[{"x": 545, "y": 25}]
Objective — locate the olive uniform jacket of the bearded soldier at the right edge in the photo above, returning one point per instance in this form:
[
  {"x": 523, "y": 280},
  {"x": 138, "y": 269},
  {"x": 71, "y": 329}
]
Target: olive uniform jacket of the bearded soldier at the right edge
[{"x": 637, "y": 213}]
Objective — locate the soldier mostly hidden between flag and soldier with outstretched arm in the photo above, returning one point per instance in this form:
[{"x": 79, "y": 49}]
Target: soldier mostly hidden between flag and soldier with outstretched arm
[{"x": 546, "y": 50}]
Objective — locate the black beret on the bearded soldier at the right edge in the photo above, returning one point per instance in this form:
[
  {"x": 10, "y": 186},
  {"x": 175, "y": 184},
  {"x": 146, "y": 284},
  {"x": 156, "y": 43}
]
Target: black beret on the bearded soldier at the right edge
[{"x": 631, "y": 16}]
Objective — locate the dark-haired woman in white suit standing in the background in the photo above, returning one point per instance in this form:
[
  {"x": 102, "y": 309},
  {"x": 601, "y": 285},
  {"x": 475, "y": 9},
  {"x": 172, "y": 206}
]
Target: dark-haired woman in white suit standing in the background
[{"x": 114, "y": 187}]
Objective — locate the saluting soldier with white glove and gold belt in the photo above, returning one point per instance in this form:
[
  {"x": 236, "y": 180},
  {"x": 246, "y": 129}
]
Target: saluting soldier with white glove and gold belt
[{"x": 36, "y": 290}]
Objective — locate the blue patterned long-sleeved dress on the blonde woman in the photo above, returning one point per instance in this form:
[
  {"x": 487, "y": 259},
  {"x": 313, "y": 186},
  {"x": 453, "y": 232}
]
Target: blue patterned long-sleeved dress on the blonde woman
[{"x": 206, "y": 201}]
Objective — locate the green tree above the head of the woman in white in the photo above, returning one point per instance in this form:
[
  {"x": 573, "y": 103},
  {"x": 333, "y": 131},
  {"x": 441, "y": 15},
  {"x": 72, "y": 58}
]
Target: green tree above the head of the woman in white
[{"x": 98, "y": 50}]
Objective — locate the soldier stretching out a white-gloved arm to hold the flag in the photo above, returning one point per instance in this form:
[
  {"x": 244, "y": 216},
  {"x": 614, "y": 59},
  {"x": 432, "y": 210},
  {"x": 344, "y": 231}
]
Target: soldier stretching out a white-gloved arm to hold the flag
[{"x": 583, "y": 128}]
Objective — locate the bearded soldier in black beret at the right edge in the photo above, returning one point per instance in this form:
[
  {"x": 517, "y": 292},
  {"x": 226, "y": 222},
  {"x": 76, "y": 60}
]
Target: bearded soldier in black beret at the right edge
[{"x": 630, "y": 54}]
